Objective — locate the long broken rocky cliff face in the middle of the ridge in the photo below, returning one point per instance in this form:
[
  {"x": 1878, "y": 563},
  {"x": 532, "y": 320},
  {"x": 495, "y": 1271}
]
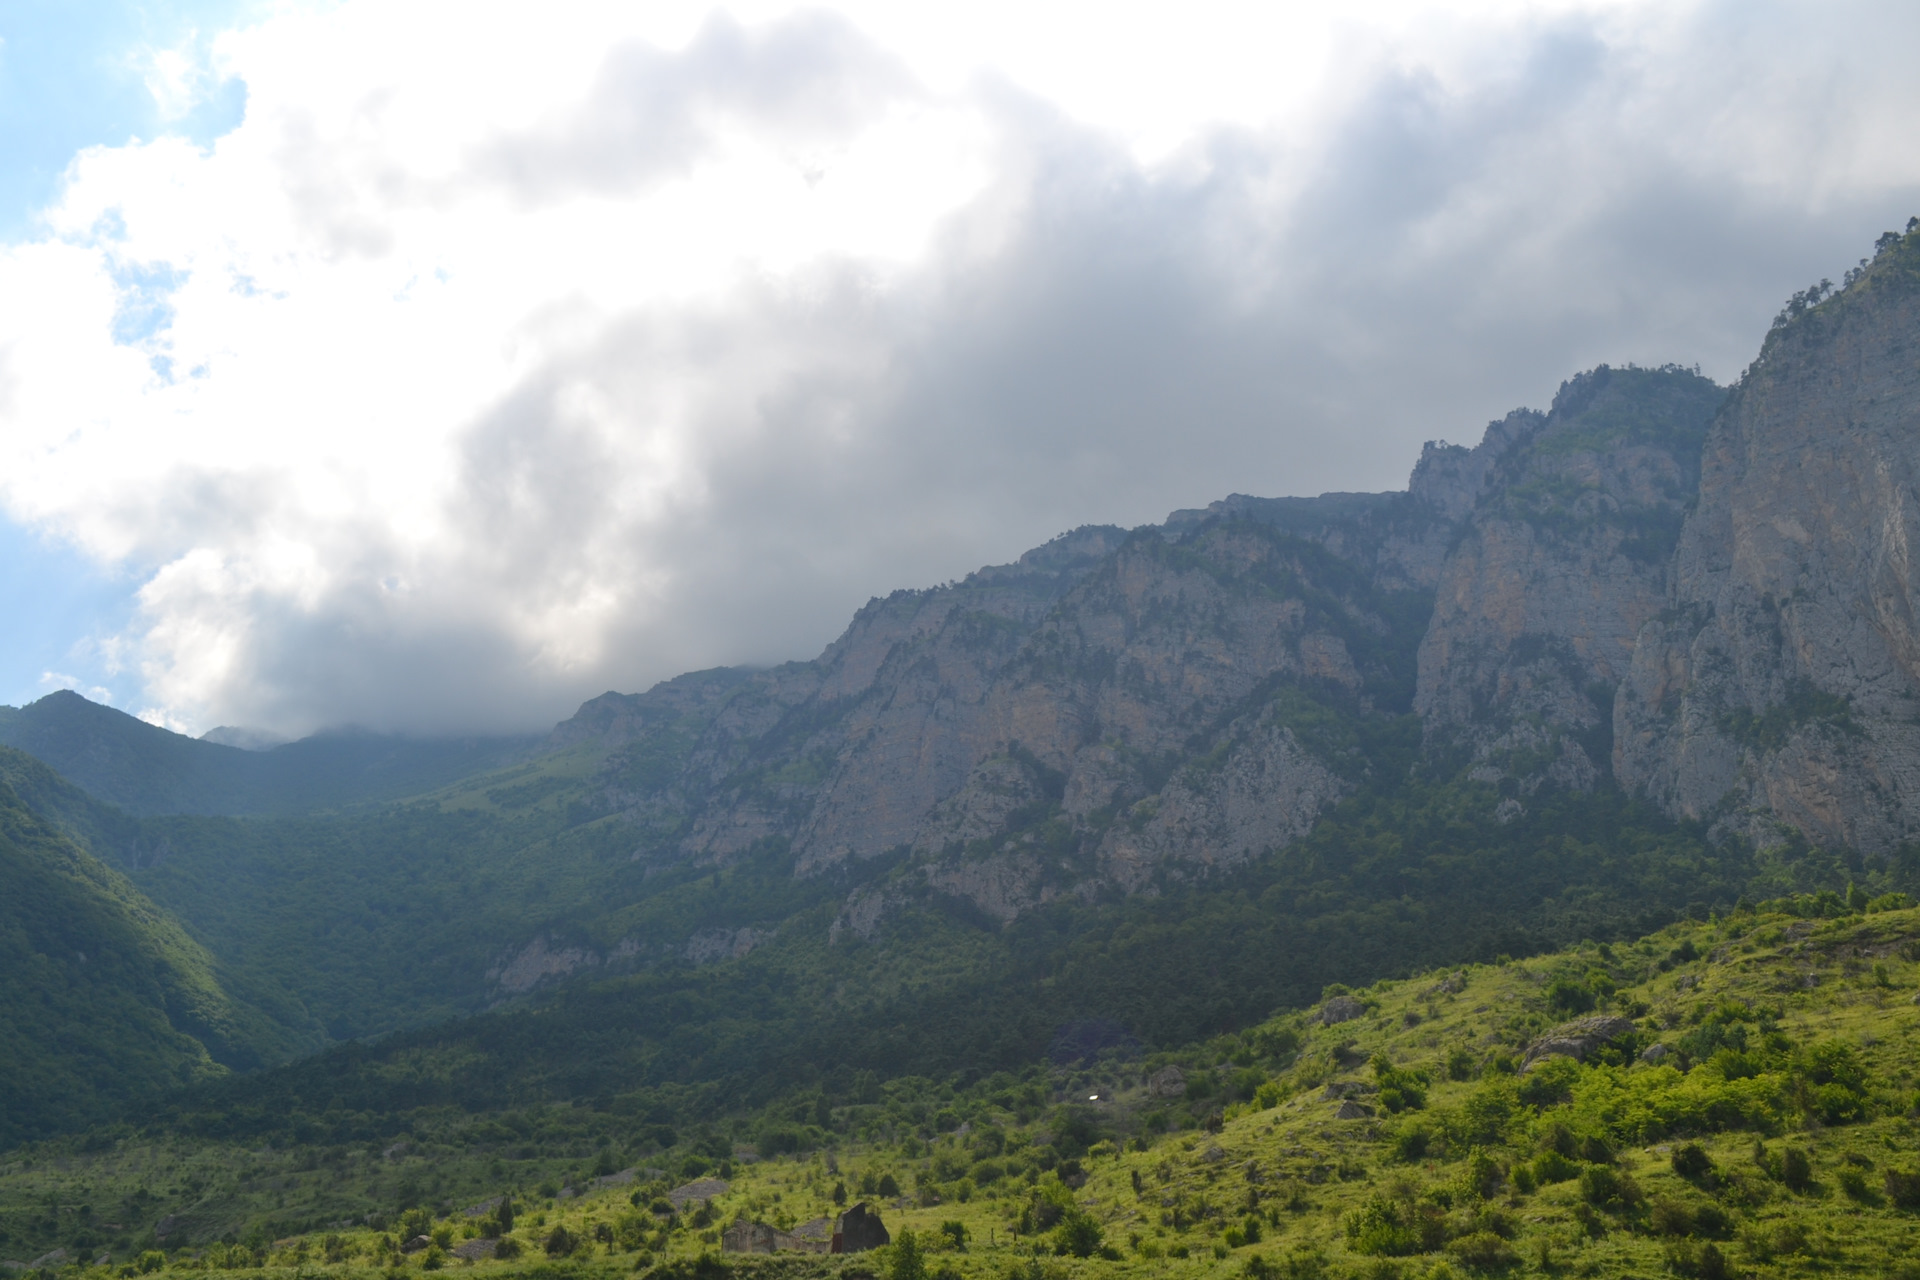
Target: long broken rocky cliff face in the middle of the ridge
[{"x": 1111, "y": 709}]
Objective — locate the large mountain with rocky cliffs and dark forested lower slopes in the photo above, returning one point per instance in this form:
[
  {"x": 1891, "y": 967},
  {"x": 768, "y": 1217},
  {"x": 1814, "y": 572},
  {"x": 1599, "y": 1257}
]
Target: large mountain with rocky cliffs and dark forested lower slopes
[{"x": 1147, "y": 782}]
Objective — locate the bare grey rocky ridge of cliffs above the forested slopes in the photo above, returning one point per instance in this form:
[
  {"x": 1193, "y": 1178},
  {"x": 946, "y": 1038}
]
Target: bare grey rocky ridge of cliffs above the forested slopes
[{"x": 1560, "y": 605}]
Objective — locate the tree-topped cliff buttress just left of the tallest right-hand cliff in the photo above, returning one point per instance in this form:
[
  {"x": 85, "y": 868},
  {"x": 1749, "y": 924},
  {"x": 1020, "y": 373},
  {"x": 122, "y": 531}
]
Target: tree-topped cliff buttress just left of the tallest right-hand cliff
[{"x": 1562, "y": 563}]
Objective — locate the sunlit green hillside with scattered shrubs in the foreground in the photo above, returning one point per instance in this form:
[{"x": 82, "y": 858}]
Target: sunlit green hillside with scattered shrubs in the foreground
[{"x": 1742, "y": 1104}]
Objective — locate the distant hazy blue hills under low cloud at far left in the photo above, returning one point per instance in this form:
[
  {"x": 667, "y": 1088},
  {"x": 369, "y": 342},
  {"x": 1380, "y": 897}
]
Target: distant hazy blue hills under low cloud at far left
[{"x": 151, "y": 770}]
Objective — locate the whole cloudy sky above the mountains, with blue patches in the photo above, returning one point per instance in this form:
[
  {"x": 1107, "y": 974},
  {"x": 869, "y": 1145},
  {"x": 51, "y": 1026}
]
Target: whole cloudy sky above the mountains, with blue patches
[{"x": 431, "y": 367}]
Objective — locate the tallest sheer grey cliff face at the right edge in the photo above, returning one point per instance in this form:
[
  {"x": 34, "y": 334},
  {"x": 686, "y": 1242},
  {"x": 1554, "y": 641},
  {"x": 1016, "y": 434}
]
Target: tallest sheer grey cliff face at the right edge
[{"x": 1783, "y": 680}]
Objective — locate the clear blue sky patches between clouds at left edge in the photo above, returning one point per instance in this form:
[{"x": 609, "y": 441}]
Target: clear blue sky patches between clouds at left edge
[{"x": 72, "y": 76}]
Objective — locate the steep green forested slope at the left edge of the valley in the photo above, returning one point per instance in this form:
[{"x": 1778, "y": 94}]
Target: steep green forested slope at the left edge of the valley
[{"x": 107, "y": 1003}]
